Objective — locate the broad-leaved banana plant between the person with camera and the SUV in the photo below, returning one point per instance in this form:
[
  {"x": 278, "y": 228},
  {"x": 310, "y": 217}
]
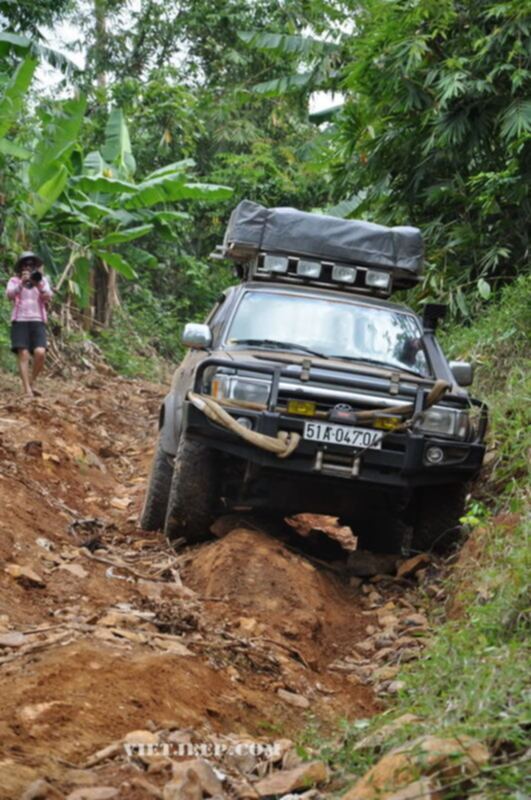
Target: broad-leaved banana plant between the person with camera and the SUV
[{"x": 105, "y": 200}]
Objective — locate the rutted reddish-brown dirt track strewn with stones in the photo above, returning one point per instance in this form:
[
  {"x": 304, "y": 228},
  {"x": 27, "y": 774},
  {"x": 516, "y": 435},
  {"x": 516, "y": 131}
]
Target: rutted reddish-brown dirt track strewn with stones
[{"x": 105, "y": 630}]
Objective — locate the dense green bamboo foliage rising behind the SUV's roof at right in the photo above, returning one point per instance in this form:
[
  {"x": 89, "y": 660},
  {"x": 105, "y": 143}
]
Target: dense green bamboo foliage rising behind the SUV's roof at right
[{"x": 436, "y": 130}]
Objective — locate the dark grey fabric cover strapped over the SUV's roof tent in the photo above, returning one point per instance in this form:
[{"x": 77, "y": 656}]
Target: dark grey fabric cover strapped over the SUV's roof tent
[{"x": 253, "y": 228}]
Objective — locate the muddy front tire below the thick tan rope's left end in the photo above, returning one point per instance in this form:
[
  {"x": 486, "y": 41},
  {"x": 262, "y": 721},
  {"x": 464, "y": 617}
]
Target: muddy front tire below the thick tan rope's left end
[{"x": 194, "y": 493}]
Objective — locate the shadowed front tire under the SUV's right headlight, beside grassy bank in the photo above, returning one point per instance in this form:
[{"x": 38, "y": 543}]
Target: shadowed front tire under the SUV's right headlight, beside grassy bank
[{"x": 436, "y": 514}]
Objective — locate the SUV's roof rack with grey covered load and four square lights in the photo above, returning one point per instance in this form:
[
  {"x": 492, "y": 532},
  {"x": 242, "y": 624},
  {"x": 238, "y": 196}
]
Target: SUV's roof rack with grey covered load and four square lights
[{"x": 287, "y": 245}]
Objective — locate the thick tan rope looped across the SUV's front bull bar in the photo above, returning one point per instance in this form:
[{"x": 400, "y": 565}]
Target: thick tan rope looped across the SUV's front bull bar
[{"x": 286, "y": 442}]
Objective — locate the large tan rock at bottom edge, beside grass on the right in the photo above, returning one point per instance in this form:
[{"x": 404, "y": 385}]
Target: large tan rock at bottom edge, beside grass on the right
[{"x": 425, "y": 756}]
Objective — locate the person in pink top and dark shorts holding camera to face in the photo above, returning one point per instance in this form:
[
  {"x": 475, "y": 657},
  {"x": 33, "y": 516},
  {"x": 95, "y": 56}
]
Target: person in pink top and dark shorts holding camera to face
[{"x": 30, "y": 293}]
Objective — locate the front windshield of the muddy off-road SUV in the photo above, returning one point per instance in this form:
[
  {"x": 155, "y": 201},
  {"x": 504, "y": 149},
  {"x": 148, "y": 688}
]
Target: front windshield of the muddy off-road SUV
[{"x": 331, "y": 328}]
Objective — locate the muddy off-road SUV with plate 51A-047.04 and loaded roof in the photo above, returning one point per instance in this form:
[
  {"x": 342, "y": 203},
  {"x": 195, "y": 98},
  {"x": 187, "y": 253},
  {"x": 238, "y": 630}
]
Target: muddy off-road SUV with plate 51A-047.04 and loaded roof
[{"x": 307, "y": 390}]
